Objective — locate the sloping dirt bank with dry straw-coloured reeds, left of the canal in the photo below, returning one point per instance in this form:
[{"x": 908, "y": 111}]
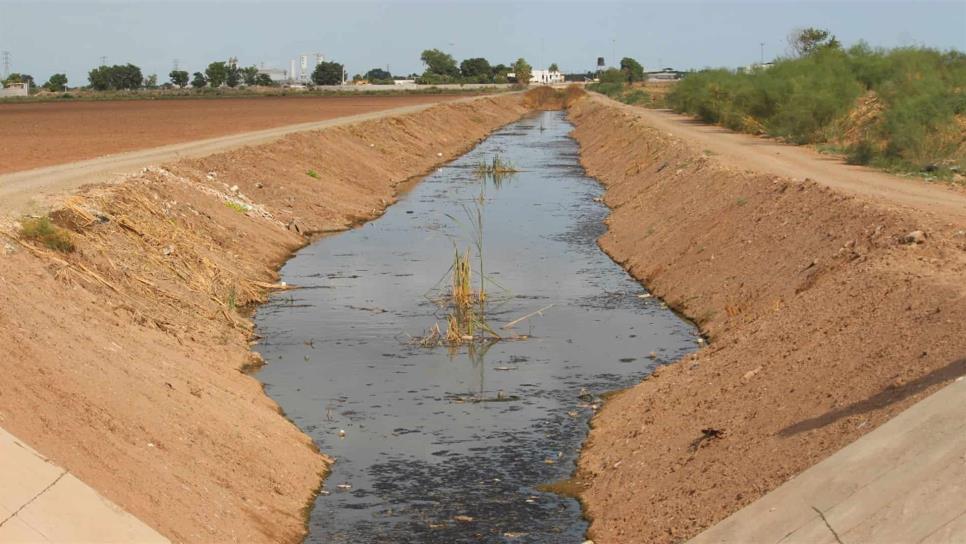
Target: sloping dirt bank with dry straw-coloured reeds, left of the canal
[{"x": 123, "y": 360}]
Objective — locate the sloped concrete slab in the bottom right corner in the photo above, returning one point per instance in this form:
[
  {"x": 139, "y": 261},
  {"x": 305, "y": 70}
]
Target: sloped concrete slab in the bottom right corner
[{"x": 903, "y": 482}]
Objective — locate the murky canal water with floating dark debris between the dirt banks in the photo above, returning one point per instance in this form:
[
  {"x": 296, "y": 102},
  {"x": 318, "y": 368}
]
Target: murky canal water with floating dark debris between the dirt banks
[{"x": 450, "y": 447}]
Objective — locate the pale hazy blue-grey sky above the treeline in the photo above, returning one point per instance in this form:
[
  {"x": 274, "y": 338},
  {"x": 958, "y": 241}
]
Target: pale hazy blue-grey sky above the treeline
[{"x": 70, "y": 36}]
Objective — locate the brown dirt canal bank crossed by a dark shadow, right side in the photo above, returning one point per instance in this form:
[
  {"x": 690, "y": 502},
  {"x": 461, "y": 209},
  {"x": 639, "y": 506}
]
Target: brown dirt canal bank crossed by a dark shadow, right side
[{"x": 822, "y": 324}]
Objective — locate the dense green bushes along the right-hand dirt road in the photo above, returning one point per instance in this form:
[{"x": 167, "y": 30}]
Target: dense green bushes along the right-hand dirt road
[{"x": 899, "y": 109}]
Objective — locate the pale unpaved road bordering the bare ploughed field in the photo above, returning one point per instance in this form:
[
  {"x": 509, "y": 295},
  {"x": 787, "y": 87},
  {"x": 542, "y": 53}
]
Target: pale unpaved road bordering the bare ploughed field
[{"x": 24, "y": 192}]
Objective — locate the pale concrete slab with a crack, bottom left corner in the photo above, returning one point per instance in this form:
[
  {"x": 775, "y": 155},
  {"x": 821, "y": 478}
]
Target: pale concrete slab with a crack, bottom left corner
[{"x": 42, "y": 502}]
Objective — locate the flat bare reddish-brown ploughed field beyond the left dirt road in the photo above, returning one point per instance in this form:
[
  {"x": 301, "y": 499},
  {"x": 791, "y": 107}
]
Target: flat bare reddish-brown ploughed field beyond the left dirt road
[{"x": 47, "y": 133}]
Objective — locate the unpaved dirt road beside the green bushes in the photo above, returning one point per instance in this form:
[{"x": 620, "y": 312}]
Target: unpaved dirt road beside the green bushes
[{"x": 748, "y": 152}]
